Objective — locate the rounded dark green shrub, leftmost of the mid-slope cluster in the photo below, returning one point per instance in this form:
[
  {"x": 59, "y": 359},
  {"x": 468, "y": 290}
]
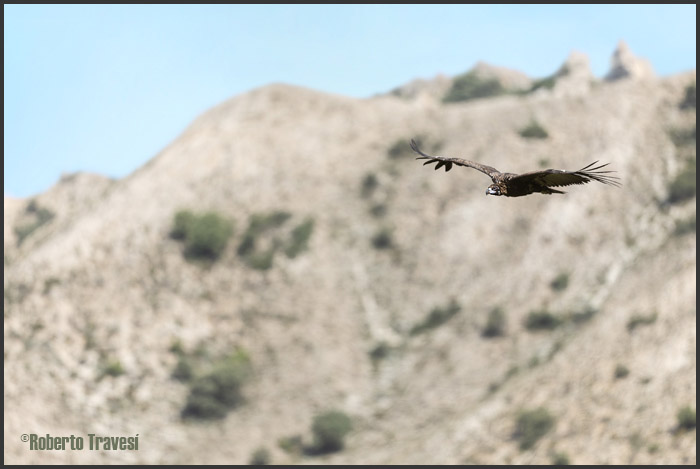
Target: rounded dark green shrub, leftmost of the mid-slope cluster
[{"x": 205, "y": 235}]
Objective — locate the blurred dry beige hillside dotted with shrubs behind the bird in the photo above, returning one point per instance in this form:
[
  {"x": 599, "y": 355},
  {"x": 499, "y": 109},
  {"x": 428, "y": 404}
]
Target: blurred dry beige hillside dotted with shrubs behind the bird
[{"x": 101, "y": 305}]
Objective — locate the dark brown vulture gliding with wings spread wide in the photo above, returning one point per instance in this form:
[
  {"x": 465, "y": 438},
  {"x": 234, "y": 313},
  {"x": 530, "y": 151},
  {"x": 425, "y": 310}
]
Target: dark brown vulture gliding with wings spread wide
[{"x": 517, "y": 185}]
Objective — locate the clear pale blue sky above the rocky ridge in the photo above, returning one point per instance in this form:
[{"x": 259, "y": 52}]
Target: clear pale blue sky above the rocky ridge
[{"x": 105, "y": 88}]
